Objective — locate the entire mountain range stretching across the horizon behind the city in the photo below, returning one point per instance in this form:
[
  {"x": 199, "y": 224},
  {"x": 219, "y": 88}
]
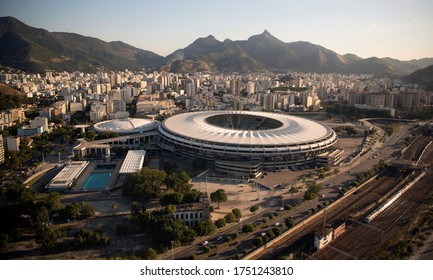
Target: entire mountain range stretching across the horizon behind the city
[{"x": 36, "y": 50}]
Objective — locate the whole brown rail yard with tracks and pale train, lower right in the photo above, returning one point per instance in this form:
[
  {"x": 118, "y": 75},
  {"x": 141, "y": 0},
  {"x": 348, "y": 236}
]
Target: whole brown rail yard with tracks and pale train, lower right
[{"x": 403, "y": 187}]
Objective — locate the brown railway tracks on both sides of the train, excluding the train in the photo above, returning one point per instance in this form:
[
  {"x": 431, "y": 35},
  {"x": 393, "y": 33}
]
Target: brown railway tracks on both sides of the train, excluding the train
[{"x": 367, "y": 238}]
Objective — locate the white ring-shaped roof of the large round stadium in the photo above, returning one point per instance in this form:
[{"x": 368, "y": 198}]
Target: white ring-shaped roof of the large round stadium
[{"x": 287, "y": 130}]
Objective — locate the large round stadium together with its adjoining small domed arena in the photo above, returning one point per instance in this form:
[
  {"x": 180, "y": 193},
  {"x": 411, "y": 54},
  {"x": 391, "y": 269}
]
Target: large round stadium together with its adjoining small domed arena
[{"x": 239, "y": 143}]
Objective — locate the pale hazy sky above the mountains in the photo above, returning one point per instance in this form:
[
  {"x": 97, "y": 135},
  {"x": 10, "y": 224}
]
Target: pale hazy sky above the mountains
[{"x": 400, "y": 29}]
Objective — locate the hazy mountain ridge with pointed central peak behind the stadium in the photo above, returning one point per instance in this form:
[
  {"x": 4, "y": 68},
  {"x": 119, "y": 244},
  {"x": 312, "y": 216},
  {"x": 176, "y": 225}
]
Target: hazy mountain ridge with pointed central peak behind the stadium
[{"x": 264, "y": 52}]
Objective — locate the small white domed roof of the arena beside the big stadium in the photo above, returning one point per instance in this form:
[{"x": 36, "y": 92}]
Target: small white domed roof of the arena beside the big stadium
[{"x": 126, "y": 126}]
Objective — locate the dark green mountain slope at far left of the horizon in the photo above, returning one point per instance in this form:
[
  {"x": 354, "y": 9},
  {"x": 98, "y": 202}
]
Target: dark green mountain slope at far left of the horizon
[{"x": 35, "y": 50}]
